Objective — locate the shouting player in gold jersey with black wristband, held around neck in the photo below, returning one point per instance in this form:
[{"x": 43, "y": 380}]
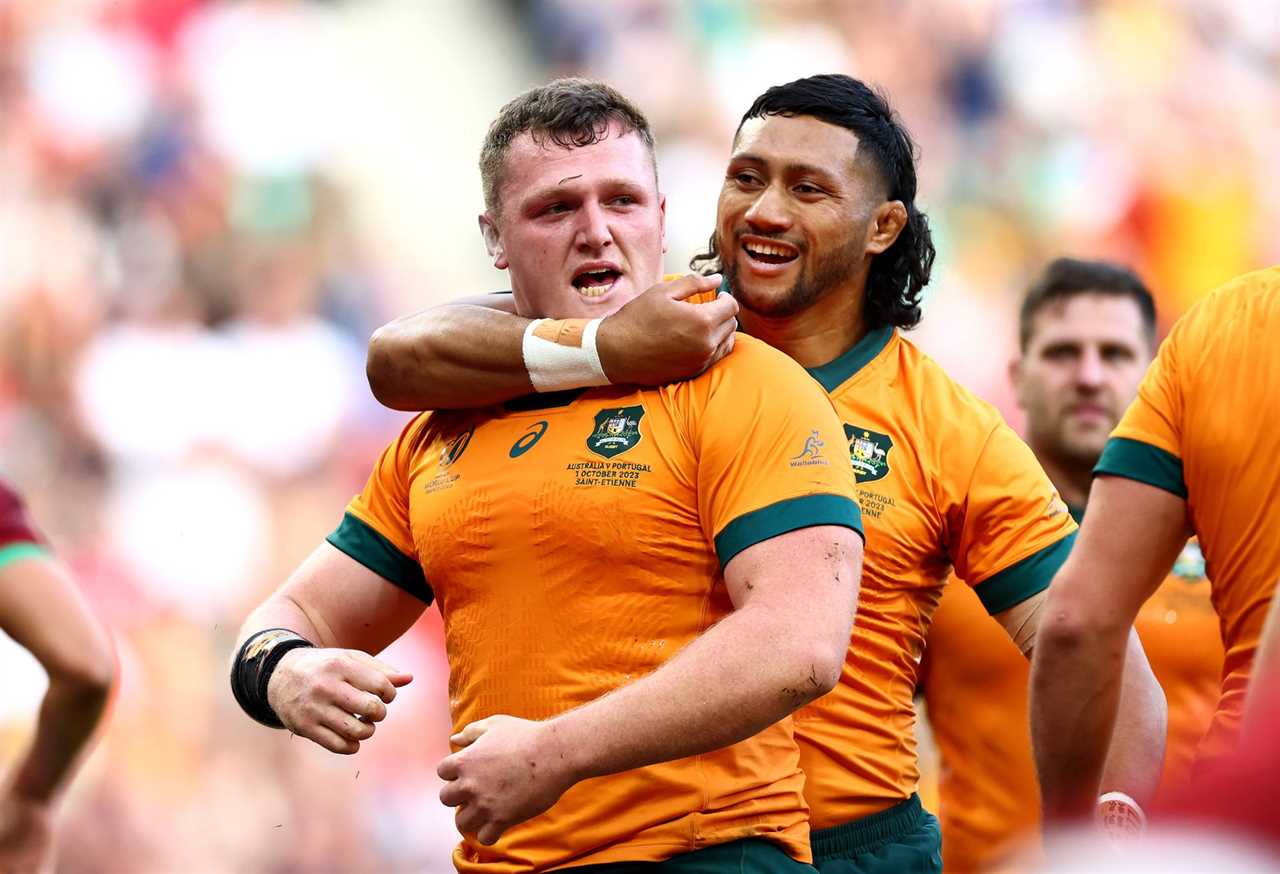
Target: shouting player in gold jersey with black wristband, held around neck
[{"x": 627, "y": 576}]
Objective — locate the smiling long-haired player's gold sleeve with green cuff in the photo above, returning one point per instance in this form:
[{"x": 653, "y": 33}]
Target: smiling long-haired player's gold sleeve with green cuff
[{"x": 1012, "y": 532}]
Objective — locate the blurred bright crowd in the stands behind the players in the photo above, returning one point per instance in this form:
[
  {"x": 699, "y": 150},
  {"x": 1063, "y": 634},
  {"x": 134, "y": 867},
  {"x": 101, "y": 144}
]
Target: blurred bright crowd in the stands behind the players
[{"x": 207, "y": 207}]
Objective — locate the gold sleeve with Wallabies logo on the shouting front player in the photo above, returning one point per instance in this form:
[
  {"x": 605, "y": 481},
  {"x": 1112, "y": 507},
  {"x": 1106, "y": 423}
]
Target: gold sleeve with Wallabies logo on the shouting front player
[{"x": 772, "y": 456}]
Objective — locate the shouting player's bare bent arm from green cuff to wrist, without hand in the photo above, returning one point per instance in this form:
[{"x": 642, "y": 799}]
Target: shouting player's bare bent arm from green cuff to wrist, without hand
[{"x": 783, "y": 647}]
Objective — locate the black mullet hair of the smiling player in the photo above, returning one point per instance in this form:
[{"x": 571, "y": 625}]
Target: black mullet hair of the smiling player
[{"x": 898, "y": 276}]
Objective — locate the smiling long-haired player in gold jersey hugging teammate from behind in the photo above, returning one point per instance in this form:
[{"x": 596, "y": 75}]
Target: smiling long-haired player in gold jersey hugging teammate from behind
[{"x": 826, "y": 253}]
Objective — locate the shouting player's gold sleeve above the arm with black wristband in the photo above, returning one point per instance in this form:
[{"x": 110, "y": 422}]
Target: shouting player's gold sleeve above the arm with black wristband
[{"x": 376, "y": 529}]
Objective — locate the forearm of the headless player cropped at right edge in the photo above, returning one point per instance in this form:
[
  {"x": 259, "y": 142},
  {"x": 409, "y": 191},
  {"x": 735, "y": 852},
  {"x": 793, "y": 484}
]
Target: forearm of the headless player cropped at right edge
[{"x": 1076, "y": 693}]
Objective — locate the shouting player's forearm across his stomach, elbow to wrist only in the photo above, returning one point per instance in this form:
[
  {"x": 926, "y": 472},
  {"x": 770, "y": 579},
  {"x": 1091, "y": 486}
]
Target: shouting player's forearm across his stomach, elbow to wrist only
[{"x": 717, "y": 692}]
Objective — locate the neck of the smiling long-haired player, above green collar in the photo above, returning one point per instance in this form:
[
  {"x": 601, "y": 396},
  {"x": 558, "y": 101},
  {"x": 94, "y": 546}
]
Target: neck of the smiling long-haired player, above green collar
[{"x": 813, "y": 337}]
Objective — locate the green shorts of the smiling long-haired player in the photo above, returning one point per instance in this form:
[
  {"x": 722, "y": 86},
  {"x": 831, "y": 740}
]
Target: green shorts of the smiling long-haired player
[{"x": 902, "y": 840}]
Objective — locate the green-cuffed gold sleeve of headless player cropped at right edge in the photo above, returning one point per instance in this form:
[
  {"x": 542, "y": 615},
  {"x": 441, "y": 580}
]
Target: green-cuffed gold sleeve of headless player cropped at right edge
[{"x": 1146, "y": 446}]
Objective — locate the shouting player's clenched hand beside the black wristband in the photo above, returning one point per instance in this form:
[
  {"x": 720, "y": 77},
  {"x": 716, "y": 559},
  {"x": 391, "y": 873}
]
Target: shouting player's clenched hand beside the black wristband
[{"x": 333, "y": 697}]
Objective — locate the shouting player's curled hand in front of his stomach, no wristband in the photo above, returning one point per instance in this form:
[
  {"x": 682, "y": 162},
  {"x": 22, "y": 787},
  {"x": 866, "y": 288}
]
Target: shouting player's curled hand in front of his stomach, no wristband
[{"x": 506, "y": 772}]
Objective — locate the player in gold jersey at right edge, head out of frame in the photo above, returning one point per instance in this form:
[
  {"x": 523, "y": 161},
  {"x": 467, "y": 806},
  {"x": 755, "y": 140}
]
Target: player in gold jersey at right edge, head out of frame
[{"x": 1196, "y": 452}]
